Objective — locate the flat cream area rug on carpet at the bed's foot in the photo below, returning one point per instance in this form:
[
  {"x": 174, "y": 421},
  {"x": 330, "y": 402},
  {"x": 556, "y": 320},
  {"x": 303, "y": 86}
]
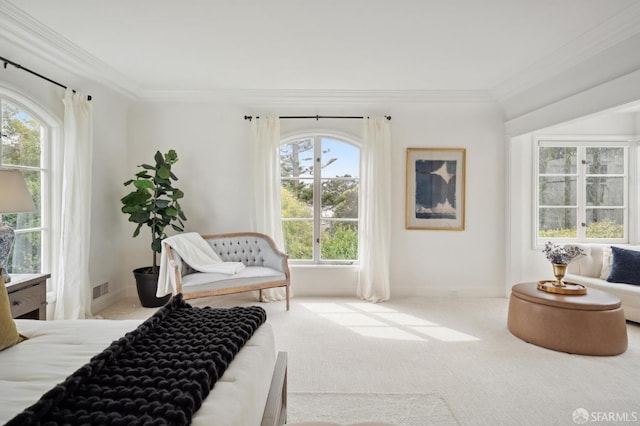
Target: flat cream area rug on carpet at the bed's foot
[{"x": 409, "y": 409}]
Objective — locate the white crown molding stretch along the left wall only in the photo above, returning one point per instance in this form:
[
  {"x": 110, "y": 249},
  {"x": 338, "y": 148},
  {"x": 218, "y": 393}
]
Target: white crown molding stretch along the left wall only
[{"x": 37, "y": 39}]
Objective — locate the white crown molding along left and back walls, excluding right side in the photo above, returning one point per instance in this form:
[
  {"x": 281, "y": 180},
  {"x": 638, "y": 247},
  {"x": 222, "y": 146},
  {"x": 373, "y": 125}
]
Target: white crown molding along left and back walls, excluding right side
[{"x": 41, "y": 41}]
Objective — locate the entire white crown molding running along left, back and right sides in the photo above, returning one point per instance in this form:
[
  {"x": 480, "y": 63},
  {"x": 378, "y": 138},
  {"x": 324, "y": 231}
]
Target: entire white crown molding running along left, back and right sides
[{"x": 37, "y": 39}]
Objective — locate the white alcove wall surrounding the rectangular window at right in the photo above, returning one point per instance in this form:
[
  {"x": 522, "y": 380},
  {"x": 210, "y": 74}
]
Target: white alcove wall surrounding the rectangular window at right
[{"x": 525, "y": 262}]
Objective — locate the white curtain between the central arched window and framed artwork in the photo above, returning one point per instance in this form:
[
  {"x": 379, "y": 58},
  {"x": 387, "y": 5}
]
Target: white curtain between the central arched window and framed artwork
[{"x": 375, "y": 221}]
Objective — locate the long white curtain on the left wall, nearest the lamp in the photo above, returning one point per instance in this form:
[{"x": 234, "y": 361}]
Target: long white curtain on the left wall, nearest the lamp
[{"x": 72, "y": 280}]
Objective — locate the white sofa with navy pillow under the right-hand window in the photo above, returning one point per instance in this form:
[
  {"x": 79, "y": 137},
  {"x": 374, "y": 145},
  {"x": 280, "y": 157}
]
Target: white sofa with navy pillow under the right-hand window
[{"x": 592, "y": 270}]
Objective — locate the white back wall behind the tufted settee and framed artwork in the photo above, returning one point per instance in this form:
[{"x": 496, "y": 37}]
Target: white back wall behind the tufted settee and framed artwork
[{"x": 212, "y": 143}]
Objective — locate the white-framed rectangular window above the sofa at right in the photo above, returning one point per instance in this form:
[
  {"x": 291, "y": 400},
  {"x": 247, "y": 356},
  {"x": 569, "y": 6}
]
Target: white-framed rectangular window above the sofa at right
[{"x": 582, "y": 190}]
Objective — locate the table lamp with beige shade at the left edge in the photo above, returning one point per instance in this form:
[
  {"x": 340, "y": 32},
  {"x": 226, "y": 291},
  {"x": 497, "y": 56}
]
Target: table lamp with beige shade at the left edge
[{"x": 14, "y": 198}]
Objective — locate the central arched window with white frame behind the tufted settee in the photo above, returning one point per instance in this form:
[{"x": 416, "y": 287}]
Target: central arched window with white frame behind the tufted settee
[{"x": 319, "y": 187}]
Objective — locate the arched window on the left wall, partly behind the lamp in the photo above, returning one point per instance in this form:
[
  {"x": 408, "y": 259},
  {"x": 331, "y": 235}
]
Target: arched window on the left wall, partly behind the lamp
[{"x": 25, "y": 144}]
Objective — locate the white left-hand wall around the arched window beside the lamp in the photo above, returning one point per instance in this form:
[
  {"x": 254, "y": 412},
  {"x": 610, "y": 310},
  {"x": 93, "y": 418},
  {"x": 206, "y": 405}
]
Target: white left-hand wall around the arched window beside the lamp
[{"x": 110, "y": 145}]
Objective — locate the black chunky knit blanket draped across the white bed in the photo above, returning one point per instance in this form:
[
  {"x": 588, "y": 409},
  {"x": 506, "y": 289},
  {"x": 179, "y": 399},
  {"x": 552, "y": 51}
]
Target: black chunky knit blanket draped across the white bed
[{"x": 157, "y": 374}]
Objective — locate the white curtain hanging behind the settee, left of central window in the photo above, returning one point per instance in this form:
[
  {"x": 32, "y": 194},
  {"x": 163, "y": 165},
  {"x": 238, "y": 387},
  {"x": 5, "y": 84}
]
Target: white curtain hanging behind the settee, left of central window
[{"x": 267, "y": 218}]
